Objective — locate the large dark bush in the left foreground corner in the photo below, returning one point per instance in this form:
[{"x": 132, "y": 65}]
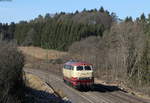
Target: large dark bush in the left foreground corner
[{"x": 11, "y": 74}]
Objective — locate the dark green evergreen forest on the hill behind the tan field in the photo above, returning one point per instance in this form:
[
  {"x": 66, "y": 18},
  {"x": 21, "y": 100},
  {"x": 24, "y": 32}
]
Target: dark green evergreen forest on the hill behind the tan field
[{"x": 58, "y": 31}]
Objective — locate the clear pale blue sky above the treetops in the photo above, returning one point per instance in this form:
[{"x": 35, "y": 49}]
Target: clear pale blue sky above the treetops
[{"x": 17, "y": 10}]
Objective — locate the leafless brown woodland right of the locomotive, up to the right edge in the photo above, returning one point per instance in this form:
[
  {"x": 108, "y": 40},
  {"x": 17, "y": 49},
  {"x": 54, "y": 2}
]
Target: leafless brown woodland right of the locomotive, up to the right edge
[{"x": 122, "y": 54}]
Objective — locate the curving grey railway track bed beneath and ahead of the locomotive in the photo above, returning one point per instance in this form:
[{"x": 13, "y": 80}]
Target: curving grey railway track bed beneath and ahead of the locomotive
[{"x": 101, "y": 94}]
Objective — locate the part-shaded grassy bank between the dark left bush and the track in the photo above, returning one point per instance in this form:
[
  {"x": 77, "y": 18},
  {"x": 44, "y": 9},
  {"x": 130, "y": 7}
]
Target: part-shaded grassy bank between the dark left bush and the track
[{"x": 38, "y": 91}]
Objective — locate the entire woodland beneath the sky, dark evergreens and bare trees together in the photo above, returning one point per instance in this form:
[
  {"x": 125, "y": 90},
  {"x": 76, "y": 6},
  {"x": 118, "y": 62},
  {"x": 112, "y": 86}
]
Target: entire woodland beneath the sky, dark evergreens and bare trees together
[{"x": 119, "y": 49}]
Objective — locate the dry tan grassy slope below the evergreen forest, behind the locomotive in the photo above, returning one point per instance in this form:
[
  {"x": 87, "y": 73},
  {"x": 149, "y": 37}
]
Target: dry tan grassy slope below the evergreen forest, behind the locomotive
[{"x": 35, "y": 58}]
